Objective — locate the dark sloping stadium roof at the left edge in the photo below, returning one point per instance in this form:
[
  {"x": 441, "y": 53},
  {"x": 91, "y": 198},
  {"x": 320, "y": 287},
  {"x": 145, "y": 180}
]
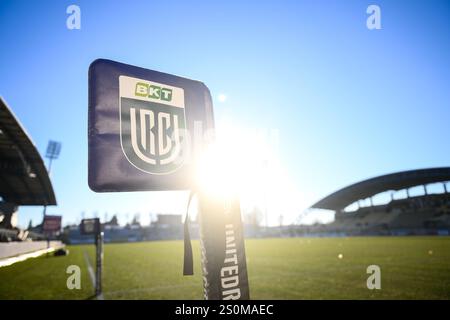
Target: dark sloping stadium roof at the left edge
[{"x": 24, "y": 178}]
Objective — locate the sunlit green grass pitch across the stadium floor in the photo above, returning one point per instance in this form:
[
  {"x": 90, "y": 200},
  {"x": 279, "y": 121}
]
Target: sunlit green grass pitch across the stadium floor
[{"x": 299, "y": 268}]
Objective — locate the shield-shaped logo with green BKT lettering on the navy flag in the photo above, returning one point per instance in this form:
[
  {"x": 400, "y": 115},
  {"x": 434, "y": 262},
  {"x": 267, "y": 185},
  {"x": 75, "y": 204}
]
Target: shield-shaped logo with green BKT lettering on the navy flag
[{"x": 152, "y": 124}]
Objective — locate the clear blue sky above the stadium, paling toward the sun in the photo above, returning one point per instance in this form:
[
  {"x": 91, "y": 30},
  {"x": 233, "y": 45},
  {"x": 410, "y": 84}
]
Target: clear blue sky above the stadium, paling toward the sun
[{"x": 348, "y": 103}]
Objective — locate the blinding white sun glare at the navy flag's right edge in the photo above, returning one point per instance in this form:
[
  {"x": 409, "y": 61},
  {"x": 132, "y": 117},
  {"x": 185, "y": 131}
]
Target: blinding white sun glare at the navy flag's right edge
[{"x": 246, "y": 162}]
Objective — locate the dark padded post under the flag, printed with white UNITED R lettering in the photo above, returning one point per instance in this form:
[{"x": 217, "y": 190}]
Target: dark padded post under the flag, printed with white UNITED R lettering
[{"x": 223, "y": 252}]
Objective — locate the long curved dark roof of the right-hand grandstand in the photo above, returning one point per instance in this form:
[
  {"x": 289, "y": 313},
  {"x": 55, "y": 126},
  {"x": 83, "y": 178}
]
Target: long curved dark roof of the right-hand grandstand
[{"x": 394, "y": 181}]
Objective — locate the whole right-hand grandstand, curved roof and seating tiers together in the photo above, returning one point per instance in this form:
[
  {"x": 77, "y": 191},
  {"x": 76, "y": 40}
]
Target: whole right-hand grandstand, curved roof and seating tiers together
[{"x": 427, "y": 214}]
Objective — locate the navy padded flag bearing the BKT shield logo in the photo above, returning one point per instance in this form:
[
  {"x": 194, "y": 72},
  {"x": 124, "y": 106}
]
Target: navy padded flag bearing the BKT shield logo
[{"x": 146, "y": 129}]
